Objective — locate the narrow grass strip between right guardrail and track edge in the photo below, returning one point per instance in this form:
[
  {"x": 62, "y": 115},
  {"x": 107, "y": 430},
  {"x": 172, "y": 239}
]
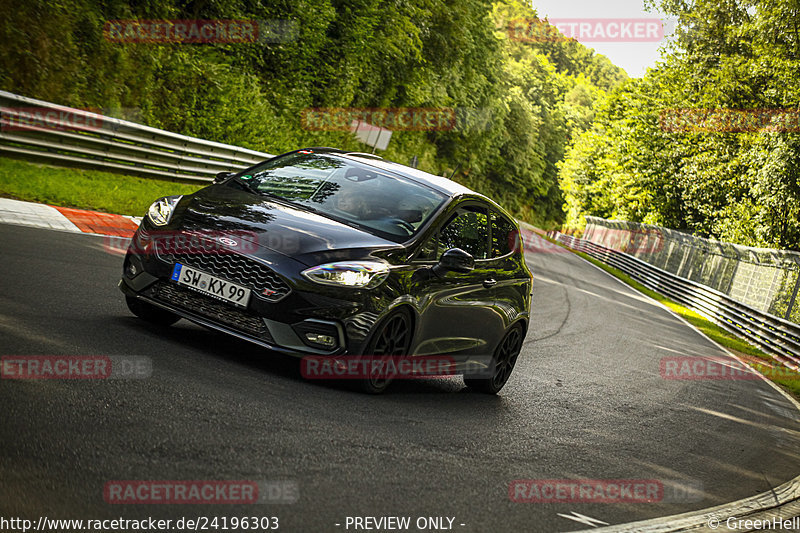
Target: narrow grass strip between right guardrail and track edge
[{"x": 775, "y": 372}]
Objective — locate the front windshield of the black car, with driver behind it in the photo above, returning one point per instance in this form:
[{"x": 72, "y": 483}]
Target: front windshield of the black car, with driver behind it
[{"x": 376, "y": 201}]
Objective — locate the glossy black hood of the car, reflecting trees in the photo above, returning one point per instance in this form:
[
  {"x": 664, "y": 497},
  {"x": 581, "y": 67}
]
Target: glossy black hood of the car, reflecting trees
[{"x": 277, "y": 227}]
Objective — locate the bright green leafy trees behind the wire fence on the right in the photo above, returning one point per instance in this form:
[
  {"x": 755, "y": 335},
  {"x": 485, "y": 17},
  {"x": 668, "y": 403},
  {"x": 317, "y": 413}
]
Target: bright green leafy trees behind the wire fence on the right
[{"x": 724, "y": 173}]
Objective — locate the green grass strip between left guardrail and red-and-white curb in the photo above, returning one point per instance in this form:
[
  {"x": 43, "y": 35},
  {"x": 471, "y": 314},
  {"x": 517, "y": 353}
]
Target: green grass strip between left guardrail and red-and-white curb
[{"x": 84, "y": 189}]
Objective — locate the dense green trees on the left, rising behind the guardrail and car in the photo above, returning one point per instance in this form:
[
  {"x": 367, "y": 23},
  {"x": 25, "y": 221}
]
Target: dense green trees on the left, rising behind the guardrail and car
[{"x": 518, "y": 103}]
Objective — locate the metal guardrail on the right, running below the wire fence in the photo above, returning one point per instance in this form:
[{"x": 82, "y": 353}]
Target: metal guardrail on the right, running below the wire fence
[{"x": 774, "y": 335}]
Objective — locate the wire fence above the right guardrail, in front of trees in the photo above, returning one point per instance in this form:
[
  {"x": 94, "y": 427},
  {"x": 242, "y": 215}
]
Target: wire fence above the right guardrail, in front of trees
[{"x": 763, "y": 278}]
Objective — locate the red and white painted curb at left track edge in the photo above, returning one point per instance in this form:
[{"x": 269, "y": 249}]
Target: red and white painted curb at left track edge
[{"x": 66, "y": 219}]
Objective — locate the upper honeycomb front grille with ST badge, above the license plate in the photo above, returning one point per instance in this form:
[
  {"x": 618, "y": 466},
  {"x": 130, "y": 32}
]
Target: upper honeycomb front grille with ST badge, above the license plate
[{"x": 233, "y": 267}]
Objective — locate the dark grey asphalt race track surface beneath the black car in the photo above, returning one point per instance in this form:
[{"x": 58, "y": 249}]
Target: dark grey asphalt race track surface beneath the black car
[{"x": 586, "y": 401}]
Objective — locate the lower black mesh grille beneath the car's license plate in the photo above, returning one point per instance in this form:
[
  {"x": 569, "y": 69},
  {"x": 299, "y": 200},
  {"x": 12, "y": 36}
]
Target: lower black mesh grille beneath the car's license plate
[{"x": 210, "y": 308}]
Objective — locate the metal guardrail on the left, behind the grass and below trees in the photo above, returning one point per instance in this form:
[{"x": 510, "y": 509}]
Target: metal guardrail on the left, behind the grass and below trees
[{"x": 50, "y": 133}]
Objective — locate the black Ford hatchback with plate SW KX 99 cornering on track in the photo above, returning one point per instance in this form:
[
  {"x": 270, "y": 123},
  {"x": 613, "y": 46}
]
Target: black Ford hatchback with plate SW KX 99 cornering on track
[{"x": 325, "y": 253}]
